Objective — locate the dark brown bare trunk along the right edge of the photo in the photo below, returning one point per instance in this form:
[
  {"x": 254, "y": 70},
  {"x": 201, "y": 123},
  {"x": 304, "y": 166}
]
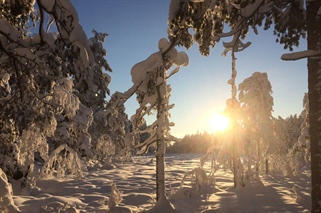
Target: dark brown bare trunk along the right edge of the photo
[{"x": 314, "y": 78}]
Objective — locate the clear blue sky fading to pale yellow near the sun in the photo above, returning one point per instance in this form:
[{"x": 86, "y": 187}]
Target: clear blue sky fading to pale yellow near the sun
[{"x": 200, "y": 90}]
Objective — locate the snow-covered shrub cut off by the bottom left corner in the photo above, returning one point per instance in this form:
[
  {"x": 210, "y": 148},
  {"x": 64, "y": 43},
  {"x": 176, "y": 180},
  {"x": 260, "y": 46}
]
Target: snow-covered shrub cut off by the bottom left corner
[{"x": 6, "y": 200}]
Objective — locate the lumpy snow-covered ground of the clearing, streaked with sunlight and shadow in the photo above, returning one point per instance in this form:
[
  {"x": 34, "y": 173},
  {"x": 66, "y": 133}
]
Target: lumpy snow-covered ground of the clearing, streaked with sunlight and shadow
[{"x": 136, "y": 181}]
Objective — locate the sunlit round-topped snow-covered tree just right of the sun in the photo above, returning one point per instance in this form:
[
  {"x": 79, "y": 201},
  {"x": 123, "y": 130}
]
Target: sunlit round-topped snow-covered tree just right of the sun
[{"x": 256, "y": 116}]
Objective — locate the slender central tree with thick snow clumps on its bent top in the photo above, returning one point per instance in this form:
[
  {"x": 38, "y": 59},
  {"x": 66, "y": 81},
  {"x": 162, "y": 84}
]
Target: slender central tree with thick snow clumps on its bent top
[{"x": 153, "y": 93}]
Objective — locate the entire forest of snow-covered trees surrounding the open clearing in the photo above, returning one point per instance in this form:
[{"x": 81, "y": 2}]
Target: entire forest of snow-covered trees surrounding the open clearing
[{"x": 58, "y": 118}]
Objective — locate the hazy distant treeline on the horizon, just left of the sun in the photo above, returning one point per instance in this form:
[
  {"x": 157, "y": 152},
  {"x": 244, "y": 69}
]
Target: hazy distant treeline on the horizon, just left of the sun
[{"x": 197, "y": 143}]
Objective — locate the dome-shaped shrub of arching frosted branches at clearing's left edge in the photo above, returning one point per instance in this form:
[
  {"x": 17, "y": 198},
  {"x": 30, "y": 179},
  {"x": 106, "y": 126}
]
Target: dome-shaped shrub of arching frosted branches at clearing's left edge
[{"x": 62, "y": 161}]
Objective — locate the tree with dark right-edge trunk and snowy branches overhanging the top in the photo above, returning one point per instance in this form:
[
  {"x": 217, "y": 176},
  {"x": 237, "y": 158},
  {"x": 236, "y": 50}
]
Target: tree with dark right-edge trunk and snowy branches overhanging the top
[{"x": 291, "y": 19}]
